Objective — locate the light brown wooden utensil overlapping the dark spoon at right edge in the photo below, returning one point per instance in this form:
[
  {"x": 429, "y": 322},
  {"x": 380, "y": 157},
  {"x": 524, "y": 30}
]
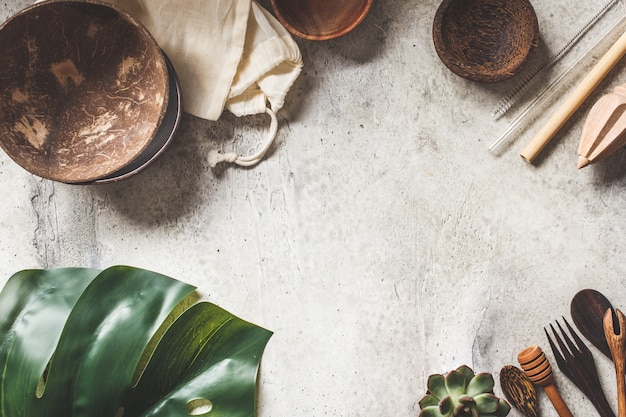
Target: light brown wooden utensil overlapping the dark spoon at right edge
[{"x": 615, "y": 332}]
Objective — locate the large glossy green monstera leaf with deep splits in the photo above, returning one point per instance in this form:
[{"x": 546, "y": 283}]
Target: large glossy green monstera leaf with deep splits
[{"x": 123, "y": 342}]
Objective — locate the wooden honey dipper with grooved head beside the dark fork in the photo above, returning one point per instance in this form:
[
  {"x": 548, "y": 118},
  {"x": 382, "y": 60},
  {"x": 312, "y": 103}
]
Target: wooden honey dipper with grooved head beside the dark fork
[{"x": 536, "y": 366}]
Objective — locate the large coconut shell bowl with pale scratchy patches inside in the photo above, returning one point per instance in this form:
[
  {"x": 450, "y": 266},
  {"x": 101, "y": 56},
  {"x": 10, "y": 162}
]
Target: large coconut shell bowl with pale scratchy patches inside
[{"x": 83, "y": 91}]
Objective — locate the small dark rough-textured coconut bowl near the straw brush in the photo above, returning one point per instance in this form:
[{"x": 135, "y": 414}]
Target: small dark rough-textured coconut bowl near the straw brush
[{"x": 485, "y": 40}]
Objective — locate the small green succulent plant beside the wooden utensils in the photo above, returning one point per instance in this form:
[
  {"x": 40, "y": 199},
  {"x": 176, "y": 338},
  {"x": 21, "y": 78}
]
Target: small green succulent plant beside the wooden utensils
[{"x": 462, "y": 393}]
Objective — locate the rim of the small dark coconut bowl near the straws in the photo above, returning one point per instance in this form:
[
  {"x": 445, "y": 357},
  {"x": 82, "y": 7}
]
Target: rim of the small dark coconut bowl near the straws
[{"x": 462, "y": 70}]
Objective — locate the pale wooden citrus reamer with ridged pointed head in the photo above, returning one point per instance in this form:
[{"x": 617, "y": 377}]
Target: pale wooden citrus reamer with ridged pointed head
[{"x": 604, "y": 127}]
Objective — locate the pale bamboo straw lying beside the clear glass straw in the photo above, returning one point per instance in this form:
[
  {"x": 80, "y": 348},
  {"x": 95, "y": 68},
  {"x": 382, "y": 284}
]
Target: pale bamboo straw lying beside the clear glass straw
[{"x": 575, "y": 99}]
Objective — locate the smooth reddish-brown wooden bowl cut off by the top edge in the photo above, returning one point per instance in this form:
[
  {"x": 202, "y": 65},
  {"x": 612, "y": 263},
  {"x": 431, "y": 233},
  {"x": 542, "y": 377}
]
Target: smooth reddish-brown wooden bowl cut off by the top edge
[{"x": 321, "y": 19}]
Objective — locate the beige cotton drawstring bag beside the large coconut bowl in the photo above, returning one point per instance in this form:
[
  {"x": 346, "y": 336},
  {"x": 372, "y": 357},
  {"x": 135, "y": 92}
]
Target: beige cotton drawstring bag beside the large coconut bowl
[{"x": 229, "y": 54}]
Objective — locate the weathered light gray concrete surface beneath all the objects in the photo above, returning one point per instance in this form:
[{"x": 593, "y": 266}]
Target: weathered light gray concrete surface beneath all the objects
[{"x": 380, "y": 240}]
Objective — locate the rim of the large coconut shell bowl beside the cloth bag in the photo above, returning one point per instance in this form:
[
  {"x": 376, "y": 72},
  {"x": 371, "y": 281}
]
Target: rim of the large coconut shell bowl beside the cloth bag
[{"x": 70, "y": 179}]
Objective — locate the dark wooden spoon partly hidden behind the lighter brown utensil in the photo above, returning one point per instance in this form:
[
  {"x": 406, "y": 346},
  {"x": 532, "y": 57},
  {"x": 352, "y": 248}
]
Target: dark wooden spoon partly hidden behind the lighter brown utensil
[{"x": 587, "y": 309}]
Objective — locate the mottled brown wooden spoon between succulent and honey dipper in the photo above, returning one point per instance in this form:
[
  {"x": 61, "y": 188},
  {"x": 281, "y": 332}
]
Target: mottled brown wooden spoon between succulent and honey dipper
[{"x": 519, "y": 390}]
